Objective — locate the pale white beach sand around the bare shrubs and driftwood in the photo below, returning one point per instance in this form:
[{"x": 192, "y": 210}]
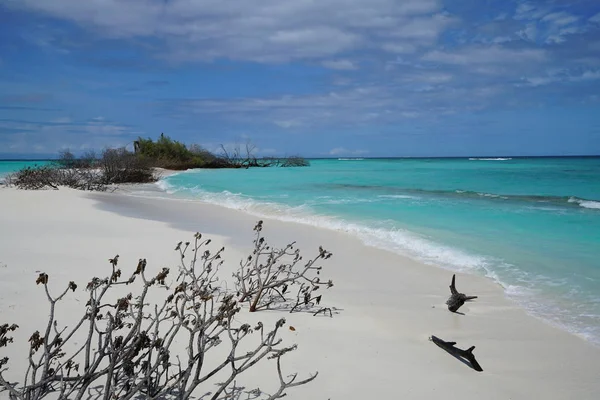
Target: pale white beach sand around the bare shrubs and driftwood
[{"x": 377, "y": 347}]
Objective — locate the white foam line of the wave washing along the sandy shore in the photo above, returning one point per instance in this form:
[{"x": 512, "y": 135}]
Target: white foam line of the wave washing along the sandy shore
[{"x": 402, "y": 242}]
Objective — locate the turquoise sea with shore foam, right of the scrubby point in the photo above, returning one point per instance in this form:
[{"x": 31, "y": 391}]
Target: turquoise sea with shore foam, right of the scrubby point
[{"x": 533, "y": 225}]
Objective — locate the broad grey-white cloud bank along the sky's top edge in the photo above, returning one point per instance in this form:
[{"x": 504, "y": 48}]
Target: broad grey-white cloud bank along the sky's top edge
[{"x": 256, "y": 30}]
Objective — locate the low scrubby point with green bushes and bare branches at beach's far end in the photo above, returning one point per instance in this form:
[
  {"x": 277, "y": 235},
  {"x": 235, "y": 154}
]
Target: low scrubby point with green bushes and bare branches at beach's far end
[{"x": 92, "y": 171}]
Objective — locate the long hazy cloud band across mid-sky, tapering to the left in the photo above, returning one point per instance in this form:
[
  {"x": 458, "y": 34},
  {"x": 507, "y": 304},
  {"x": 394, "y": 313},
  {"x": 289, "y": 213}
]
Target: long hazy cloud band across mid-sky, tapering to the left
[{"x": 408, "y": 94}]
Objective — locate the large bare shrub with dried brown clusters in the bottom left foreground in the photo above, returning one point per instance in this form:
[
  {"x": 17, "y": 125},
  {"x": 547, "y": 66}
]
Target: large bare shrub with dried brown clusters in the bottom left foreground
[{"x": 128, "y": 348}]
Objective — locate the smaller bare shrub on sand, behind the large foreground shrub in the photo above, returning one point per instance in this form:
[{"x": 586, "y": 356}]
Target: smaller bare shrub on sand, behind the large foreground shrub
[{"x": 265, "y": 277}]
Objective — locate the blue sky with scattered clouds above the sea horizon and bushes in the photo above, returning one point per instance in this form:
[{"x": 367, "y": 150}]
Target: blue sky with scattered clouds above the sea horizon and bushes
[{"x": 311, "y": 77}]
